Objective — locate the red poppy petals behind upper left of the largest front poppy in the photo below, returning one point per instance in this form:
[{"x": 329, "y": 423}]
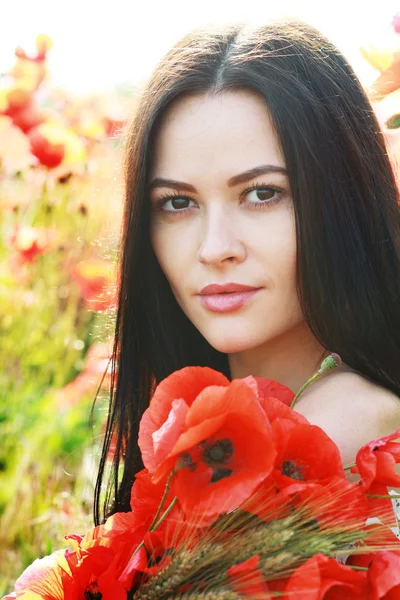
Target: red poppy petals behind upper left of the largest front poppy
[{"x": 163, "y": 421}]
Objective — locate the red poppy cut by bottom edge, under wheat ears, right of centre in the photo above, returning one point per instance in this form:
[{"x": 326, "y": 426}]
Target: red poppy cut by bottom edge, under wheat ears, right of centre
[{"x": 322, "y": 577}]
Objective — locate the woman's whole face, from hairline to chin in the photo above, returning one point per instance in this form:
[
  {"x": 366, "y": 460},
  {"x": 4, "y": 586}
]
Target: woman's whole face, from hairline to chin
[{"x": 222, "y": 214}]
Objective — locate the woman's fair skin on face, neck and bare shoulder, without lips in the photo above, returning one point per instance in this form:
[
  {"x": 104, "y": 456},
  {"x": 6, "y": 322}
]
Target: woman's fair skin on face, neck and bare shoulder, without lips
[{"x": 216, "y": 230}]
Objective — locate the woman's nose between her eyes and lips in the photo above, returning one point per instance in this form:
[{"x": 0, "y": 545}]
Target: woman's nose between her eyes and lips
[{"x": 220, "y": 242}]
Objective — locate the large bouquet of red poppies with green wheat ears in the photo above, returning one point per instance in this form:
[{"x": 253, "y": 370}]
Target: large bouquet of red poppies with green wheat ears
[{"x": 240, "y": 497}]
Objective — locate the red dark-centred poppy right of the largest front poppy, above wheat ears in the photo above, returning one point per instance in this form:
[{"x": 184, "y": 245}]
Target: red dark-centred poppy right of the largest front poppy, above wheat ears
[{"x": 308, "y": 474}]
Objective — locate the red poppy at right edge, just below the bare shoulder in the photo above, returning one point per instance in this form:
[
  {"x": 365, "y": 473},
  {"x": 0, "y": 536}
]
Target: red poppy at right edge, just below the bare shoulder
[{"x": 376, "y": 464}]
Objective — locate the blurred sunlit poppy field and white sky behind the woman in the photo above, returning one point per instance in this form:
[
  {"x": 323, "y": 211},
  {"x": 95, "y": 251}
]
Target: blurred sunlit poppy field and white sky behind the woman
[{"x": 68, "y": 84}]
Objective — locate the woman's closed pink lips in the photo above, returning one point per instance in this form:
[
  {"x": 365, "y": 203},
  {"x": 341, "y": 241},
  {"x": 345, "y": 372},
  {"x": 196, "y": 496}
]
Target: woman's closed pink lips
[{"x": 226, "y": 298}]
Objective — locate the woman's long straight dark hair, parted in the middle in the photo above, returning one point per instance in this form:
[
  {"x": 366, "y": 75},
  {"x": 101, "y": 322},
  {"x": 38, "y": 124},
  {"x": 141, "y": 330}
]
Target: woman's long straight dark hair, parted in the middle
[{"x": 346, "y": 212}]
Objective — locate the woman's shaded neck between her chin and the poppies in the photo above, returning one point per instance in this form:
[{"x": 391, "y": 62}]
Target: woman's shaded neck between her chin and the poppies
[{"x": 291, "y": 359}]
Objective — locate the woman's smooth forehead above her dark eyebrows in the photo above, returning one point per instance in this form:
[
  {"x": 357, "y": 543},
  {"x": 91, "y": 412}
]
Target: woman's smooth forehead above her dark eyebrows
[{"x": 224, "y": 133}]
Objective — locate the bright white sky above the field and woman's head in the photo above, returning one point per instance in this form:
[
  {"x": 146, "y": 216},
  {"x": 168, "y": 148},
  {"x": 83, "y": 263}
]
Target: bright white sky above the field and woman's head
[{"x": 98, "y": 43}]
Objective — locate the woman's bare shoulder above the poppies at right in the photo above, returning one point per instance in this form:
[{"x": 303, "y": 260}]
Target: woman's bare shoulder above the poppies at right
[{"x": 351, "y": 409}]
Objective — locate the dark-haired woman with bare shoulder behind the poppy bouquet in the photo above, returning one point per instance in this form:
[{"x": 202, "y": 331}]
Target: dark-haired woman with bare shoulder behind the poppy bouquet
[{"x": 255, "y": 160}]
